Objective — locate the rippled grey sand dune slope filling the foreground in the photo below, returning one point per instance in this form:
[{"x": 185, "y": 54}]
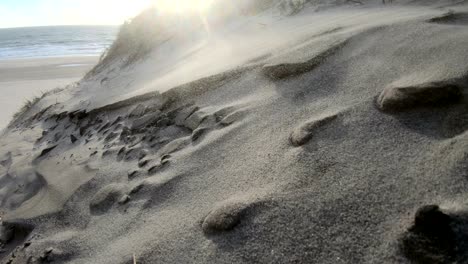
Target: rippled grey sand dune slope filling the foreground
[{"x": 337, "y": 134}]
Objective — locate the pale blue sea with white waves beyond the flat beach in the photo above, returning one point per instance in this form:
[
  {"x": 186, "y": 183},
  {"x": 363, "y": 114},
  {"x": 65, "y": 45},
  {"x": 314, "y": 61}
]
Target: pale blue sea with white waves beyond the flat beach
[{"x": 55, "y": 41}]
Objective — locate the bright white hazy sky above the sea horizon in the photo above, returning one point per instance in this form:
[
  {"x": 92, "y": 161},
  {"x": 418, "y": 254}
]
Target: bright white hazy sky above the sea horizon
[{"x": 23, "y": 13}]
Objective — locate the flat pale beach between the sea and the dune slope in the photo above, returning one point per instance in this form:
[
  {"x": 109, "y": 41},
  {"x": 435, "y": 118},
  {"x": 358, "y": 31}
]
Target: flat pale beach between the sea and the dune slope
[{"x": 23, "y": 79}]
